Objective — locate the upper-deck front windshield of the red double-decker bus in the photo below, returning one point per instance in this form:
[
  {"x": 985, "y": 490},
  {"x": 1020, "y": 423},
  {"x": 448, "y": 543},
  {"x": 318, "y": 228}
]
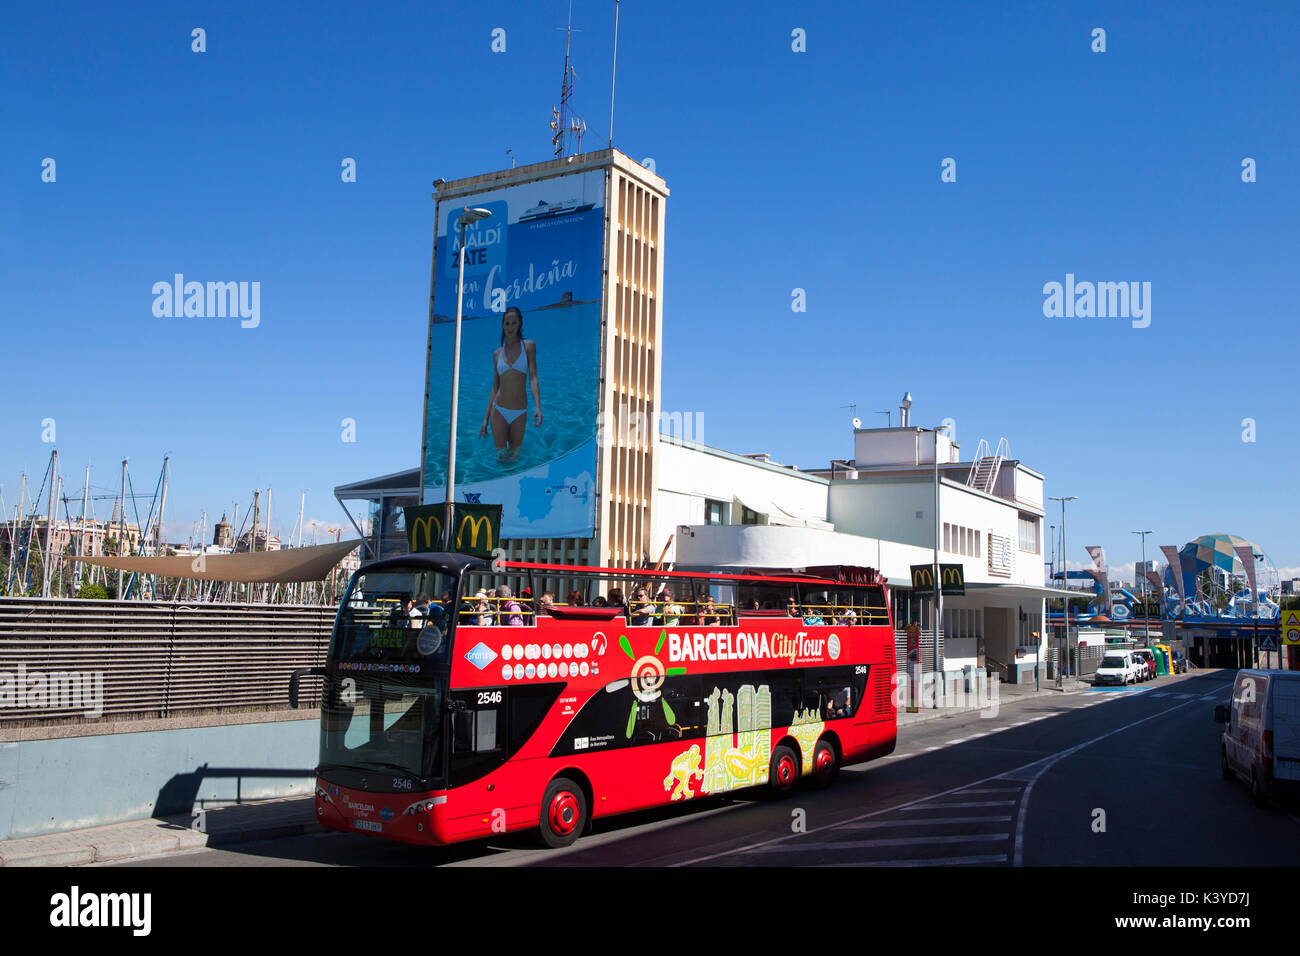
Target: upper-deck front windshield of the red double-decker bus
[{"x": 395, "y": 621}]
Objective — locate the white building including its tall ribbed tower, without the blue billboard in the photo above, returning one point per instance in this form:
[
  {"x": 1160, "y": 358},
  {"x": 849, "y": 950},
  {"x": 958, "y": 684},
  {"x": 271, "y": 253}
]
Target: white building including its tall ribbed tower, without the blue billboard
[{"x": 657, "y": 495}]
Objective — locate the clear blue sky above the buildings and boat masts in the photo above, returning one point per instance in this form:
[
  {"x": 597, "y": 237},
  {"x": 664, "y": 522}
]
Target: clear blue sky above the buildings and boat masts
[{"x": 816, "y": 171}]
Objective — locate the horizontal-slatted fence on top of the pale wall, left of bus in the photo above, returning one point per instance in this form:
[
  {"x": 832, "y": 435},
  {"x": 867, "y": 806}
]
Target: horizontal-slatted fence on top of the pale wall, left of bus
[{"x": 67, "y": 659}]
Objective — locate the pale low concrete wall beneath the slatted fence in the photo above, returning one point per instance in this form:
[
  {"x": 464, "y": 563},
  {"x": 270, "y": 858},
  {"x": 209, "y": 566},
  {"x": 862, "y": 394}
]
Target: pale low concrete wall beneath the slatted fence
[{"x": 54, "y": 780}]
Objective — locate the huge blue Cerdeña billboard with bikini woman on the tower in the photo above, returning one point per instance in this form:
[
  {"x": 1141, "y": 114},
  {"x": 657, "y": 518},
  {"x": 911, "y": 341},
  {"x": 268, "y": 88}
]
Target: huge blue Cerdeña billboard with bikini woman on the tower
[{"x": 530, "y": 354}]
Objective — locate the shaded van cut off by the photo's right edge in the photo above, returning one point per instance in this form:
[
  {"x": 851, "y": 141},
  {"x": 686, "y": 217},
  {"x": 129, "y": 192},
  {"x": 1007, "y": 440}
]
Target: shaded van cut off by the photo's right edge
[{"x": 1262, "y": 742}]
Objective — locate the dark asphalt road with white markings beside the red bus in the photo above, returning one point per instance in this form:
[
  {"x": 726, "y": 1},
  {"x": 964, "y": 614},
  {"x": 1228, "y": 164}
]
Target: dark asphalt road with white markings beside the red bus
[{"x": 1124, "y": 777}]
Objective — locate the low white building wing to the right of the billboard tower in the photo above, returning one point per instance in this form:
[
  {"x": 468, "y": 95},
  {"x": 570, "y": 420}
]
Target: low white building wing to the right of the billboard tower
[{"x": 878, "y": 511}]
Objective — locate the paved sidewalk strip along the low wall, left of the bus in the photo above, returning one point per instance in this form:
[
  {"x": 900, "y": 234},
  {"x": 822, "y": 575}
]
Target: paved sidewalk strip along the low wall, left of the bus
[{"x": 141, "y": 838}]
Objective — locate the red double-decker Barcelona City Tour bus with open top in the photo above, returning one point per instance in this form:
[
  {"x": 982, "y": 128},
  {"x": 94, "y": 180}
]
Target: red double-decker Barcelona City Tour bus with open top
[{"x": 461, "y": 702}]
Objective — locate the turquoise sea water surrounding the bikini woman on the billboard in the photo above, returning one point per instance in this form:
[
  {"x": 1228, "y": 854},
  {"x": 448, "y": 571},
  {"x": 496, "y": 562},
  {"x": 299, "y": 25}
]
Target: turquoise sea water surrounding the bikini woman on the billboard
[{"x": 567, "y": 371}]
